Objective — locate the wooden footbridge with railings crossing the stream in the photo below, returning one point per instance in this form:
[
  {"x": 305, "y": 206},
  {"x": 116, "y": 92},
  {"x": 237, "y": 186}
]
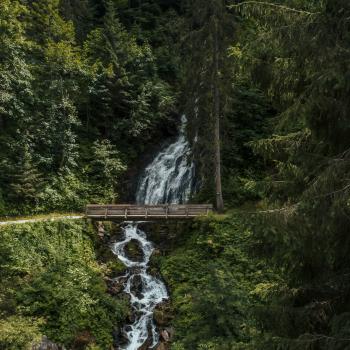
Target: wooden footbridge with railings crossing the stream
[{"x": 147, "y": 212}]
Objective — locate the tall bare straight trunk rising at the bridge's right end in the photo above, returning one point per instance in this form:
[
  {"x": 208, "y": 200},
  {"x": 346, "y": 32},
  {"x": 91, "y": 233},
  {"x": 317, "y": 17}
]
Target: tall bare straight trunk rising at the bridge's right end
[{"x": 219, "y": 198}]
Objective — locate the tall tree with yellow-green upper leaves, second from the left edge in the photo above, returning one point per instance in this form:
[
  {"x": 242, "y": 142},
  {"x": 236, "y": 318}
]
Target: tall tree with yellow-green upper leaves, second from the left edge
[{"x": 60, "y": 72}]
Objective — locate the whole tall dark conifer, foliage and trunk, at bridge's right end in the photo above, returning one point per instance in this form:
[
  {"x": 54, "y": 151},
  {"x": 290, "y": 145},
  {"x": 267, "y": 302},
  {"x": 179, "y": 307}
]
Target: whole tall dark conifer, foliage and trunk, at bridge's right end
[{"x": 206, "y": 71}]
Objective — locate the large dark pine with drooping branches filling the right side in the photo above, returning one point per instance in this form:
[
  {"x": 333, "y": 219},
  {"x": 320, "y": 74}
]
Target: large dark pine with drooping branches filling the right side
[{"x": 296, "y": 56}]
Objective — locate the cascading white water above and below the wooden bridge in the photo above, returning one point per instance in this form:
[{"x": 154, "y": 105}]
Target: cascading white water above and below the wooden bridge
[{"x": 168, "y": 179}]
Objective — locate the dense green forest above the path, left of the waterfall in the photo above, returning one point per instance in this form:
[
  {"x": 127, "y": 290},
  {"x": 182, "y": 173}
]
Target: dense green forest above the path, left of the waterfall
[{"x": 70, "y": 79}]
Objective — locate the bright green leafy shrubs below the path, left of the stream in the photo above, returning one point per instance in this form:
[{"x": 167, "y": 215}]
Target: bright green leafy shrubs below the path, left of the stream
[{"x": 49, "y": 272}]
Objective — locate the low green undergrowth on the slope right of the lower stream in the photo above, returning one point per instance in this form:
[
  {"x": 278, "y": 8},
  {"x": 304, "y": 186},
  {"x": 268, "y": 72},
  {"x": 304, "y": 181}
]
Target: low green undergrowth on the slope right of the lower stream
[{"x": 216, "y": 285}]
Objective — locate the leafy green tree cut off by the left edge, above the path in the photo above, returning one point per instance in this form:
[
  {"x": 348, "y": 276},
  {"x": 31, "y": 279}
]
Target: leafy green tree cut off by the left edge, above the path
[{"x": 16, "y": 93}]
